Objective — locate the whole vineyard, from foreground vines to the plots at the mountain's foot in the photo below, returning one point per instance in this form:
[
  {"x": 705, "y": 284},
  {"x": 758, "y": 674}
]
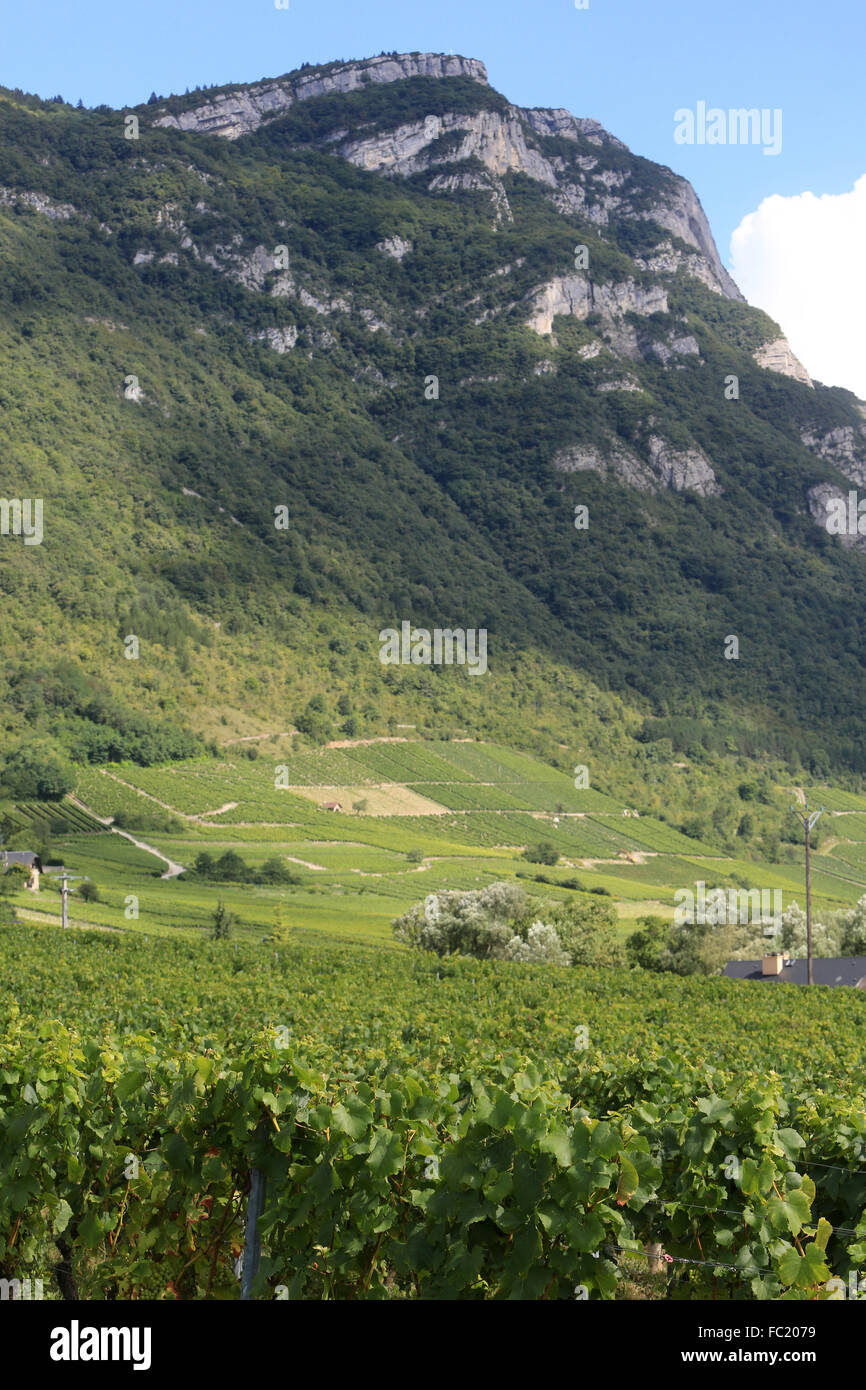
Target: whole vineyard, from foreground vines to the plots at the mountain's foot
[{"x": 425, "y": 1129}]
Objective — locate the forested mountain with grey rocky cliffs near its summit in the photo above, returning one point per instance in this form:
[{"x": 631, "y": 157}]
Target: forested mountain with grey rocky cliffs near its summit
[{"x": 295, "y": 362}]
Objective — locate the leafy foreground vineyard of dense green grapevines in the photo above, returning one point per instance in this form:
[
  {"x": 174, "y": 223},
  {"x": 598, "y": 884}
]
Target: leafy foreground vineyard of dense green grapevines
[{"x": 425, "y": 1129}]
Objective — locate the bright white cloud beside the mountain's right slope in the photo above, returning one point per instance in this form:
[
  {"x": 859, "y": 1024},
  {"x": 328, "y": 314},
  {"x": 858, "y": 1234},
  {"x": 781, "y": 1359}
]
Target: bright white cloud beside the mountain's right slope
[{"x": 801, "y": 259}]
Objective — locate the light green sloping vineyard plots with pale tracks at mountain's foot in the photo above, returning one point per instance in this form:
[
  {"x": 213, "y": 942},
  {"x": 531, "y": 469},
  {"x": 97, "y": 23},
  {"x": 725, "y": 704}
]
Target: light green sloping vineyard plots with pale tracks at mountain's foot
[{"x": 358, "y": 869}]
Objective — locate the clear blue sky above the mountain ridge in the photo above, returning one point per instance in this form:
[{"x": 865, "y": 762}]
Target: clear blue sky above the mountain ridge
[{"x": 629, "y": 63}]
